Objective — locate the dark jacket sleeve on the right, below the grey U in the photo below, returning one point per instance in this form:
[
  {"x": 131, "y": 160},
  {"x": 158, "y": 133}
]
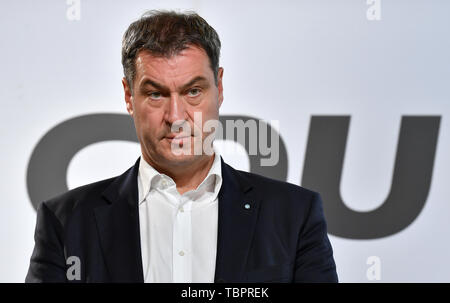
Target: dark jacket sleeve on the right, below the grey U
[{"x": 314, "y": 259}]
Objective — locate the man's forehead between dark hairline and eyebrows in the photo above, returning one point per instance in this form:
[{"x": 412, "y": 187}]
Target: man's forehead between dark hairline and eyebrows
[{"x": 190, "y": 62}]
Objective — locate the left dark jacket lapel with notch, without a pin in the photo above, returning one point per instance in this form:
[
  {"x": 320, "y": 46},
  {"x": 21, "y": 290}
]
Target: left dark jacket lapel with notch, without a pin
[{"x": 118, "y": 228}]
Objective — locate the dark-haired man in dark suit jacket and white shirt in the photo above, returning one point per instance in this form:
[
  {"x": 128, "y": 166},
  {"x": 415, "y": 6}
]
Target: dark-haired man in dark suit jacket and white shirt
[{"x": 180, "y": 215}]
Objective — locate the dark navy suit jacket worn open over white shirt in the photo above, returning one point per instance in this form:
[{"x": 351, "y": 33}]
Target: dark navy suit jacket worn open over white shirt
[{"x": 281, "y": 238}]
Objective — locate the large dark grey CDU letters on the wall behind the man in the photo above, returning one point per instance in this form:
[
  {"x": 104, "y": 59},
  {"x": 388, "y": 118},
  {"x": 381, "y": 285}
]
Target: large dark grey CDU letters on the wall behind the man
[{"x": 322, "y": 170}]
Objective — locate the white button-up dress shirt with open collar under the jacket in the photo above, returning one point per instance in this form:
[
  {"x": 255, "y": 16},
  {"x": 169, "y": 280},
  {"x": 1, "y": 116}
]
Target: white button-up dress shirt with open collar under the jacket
[{"x": 178, "y": 232}]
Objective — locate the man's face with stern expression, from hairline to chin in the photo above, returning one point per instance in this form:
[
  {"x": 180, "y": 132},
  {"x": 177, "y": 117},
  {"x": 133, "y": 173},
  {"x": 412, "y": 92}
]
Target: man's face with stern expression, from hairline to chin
[{"x": 167, "y": 91}]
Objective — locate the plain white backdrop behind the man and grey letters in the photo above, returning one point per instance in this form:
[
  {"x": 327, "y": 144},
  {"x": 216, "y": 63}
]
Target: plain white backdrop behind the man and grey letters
[{"x": 283, "y": 60}]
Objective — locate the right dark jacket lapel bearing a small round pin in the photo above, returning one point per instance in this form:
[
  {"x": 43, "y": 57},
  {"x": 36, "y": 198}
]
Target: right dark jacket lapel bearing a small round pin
[{"x": 236, "y": 225}]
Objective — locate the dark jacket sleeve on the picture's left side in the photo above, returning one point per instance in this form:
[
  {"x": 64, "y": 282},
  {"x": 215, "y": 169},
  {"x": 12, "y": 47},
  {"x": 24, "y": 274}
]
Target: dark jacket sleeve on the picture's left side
[{"x": 47, "y": 263}]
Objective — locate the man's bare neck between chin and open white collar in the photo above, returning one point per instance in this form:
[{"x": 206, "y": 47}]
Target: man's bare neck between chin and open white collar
[{"x": 187, "y": 177}]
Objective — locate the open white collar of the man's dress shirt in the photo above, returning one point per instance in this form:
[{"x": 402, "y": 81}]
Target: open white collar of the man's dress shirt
[{"x": 149, "y": 178}]
